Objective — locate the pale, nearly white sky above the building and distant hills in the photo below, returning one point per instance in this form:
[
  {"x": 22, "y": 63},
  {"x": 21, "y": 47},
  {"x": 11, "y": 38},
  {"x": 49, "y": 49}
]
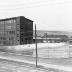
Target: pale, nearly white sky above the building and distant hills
[{"x": 47, "y": 14}]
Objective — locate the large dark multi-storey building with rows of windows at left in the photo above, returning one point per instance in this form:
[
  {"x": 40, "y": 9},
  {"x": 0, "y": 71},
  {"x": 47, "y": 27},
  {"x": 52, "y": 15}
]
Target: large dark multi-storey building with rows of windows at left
[{"x": 16, "y": 31}]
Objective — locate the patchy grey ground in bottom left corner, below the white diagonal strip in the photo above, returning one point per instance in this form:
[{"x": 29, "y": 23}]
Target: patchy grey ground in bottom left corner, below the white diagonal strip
[{"x": 11, "y": 66}]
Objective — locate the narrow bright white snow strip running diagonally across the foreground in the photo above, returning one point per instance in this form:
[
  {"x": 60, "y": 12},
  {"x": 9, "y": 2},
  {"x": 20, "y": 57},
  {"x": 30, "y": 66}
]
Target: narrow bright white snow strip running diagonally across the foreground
[{"x": 59, "y": 67}]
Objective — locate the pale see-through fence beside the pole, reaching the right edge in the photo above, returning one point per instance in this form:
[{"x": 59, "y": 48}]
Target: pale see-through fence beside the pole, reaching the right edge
[{"x": 64, "y": 51}]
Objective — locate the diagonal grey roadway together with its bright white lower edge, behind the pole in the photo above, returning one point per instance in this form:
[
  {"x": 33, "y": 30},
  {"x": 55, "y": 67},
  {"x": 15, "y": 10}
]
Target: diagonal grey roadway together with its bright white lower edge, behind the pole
[{"x": 61, "y": 64}]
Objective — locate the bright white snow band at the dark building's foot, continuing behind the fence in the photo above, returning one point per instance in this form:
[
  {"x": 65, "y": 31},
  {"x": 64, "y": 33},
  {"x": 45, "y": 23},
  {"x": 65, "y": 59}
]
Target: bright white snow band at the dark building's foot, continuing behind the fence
[{"x": 33, "y": 46}]
